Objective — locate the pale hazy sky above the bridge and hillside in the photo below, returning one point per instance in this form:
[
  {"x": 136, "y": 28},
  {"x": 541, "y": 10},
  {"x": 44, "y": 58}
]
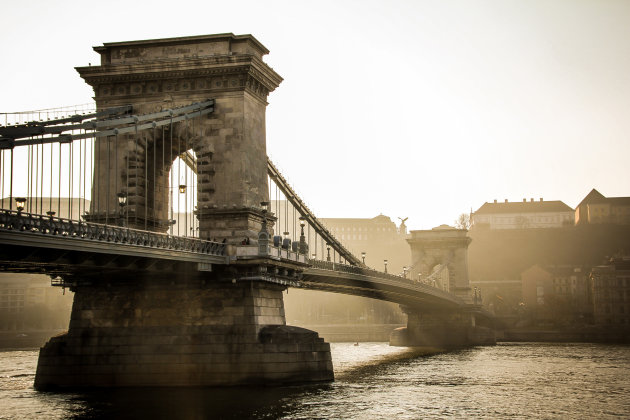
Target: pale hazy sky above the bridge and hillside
[{"x": 419, "y": 109}]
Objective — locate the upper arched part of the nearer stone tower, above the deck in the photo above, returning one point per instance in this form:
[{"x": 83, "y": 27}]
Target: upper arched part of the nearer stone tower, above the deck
[{"x": 229, "y": 144}]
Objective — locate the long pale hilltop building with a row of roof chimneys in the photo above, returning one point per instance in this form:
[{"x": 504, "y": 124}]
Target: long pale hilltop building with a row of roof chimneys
[{"x": 523, "y": 215}]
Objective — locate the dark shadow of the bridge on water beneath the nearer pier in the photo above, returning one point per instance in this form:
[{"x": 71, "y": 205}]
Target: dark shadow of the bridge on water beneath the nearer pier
[{"x": 251, "y": 402}]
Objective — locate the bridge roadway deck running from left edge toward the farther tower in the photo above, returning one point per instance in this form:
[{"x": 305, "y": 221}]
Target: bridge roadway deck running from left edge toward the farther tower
[{"x": 61, "y": 247}]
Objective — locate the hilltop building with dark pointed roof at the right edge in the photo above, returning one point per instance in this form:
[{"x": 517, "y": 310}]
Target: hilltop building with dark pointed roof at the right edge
[{"x": 597, "y": 209}]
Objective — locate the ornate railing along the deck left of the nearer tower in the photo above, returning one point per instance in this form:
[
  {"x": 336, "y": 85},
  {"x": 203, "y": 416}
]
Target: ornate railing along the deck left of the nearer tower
[{"x": 11, "y": 220}]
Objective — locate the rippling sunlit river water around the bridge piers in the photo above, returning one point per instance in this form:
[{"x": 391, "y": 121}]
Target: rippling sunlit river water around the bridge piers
[{"x": 373, "y": 381}]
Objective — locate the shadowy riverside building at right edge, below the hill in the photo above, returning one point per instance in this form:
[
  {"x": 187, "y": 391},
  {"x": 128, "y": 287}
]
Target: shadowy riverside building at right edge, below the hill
[{"x": 610, "y": 289}]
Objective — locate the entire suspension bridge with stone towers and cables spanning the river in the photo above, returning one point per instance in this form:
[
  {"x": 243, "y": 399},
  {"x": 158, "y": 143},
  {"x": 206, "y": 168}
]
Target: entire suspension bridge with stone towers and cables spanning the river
[{"x": 158, "y": 206}]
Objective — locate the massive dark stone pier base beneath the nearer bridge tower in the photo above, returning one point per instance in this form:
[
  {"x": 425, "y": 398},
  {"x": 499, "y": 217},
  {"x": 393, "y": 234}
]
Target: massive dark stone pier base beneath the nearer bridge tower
[{"x": 181, "y": 334}]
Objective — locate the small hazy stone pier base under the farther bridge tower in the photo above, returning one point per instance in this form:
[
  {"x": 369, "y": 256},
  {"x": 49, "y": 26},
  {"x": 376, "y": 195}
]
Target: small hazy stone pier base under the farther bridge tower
[{"x": 446, "y": 330}]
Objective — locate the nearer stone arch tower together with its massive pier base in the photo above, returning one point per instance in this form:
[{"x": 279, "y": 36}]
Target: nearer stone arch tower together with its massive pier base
[{"x": 211, "y": 324}]
